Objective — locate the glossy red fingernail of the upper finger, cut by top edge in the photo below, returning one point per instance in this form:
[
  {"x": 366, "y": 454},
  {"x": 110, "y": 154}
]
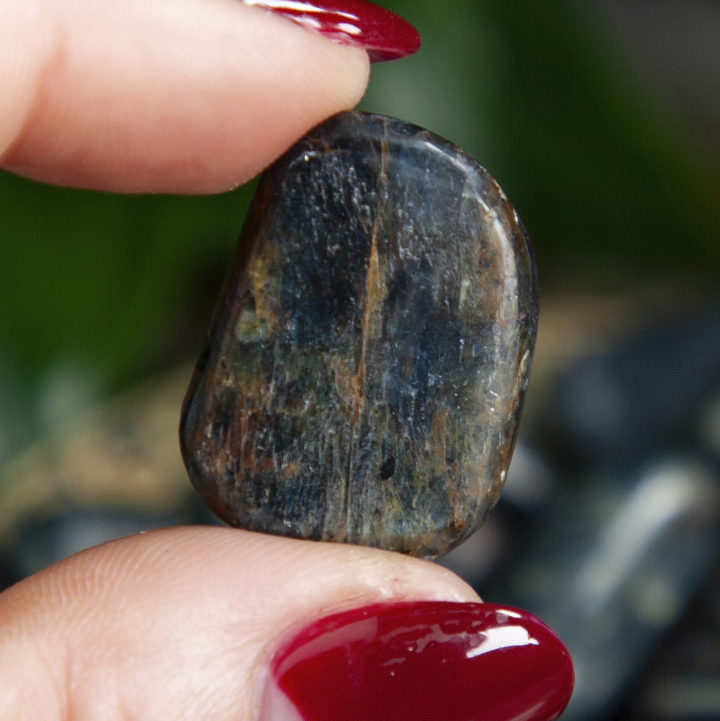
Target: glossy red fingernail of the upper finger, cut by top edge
[{"x": 383, "y": 34}]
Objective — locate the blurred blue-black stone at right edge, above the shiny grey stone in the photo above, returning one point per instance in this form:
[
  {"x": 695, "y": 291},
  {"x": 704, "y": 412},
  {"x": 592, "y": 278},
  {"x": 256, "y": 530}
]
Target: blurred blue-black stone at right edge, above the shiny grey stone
[{"x": 642, "y": 397}]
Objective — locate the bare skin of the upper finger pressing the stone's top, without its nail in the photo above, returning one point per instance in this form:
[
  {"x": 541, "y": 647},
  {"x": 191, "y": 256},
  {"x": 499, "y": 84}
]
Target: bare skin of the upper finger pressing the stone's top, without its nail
[{"x": 182, "y": 96}]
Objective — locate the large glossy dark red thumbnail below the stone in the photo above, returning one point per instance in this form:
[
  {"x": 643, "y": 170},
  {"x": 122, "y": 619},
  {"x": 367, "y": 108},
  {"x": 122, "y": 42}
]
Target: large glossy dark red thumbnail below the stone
[{"x": 421, "y": 661}]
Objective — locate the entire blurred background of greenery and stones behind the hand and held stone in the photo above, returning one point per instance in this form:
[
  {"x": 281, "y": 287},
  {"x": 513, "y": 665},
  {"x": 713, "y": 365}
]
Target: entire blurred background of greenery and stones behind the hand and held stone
[{"x": 601, "y": 120}]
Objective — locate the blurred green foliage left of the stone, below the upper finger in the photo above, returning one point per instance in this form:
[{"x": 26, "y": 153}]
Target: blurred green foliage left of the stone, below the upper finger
[{"x": 98, "y": 290}]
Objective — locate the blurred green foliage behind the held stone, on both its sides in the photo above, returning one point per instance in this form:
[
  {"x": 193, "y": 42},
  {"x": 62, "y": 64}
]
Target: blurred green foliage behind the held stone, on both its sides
[{"x": 98, "y": 290}]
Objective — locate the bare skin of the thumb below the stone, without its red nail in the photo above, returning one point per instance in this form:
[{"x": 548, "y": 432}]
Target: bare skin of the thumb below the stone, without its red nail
[{"x": 180, "y": 623}]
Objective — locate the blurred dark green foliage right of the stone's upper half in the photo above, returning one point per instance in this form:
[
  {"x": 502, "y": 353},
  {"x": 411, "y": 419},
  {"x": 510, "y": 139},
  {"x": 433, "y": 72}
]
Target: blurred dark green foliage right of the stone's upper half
[{"x": 605, "y": 175}]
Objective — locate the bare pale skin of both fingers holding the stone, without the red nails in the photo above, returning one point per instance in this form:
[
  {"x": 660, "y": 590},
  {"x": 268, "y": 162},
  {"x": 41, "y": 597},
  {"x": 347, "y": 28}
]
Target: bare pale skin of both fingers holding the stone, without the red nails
[{"x": 187, "y": 96}]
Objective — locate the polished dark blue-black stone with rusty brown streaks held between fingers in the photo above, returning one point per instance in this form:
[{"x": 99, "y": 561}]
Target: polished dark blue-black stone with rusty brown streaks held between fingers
[{"x": 364, "y": 371}]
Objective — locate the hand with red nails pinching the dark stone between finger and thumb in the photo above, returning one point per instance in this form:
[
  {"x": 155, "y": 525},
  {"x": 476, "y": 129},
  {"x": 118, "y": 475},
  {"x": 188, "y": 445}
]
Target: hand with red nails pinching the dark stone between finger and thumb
[{"x": 197, "y": 96}]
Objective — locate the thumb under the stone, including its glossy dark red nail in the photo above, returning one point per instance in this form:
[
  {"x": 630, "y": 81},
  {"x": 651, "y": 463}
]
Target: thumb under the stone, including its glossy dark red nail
[{"x": 191, "y": 623}]
